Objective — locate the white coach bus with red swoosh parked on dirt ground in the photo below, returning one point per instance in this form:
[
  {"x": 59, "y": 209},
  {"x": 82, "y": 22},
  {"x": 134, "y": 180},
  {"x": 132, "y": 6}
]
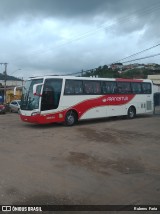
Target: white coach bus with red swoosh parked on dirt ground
[{"x": 69, "y": 99}]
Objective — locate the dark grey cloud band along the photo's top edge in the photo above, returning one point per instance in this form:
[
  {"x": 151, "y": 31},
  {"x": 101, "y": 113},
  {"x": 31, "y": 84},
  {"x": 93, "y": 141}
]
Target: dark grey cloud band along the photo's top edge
[{"x": 72, "y": 8}]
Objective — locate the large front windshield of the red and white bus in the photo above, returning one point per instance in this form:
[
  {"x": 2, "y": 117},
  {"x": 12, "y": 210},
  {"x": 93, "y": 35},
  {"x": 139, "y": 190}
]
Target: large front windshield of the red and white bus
[{"x": 29, "y": 101}]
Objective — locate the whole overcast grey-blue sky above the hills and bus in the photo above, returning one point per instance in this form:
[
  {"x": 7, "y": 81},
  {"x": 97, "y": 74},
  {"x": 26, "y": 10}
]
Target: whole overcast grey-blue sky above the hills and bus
[{"x": 65, "y": 36}]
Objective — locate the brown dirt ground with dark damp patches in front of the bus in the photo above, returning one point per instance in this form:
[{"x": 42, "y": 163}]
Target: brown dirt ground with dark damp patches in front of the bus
[{"x": 109, "y": 161}]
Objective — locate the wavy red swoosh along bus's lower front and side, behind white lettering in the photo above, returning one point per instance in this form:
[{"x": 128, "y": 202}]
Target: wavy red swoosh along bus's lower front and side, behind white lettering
[{"x": 81, "y": 108}]
